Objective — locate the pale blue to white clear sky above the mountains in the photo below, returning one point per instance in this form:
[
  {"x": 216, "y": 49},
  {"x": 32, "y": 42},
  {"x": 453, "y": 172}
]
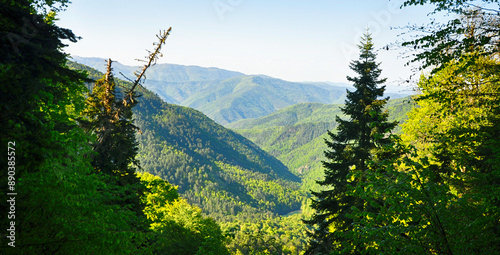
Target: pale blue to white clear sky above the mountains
[{"x": 293, "y": 40}]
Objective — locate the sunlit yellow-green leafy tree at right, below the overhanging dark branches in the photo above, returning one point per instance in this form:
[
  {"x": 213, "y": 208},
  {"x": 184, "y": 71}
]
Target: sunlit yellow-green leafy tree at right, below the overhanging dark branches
[{"x": 436, "y": 186}]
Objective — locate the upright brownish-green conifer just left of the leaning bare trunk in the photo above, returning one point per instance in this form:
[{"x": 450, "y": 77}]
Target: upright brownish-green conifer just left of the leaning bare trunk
[{"x": 115, "y": 153}]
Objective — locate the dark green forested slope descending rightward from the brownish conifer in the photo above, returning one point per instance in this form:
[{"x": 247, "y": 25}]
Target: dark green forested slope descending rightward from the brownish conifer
[{"x": 215, "y": 168}]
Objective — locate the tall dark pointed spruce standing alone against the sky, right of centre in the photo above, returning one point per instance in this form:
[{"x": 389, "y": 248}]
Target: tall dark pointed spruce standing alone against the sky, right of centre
[{"x": 349, "y": 151}]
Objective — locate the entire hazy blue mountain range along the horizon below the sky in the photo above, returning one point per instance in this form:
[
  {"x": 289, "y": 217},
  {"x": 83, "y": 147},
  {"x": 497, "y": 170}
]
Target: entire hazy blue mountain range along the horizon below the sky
[{"x": 225, "y": 96}]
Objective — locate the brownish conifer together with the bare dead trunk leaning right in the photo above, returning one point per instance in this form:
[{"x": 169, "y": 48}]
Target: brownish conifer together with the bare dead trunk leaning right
[{"x": 109, "y": 117}]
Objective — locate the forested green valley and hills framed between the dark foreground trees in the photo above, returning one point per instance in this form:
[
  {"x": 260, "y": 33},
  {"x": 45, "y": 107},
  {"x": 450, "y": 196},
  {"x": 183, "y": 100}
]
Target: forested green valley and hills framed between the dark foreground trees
[{"x": 255, "y": 171}]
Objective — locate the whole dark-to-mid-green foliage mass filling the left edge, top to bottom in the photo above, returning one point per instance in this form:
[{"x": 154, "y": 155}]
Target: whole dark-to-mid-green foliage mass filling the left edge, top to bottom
[{"x": 61, "y": 206}]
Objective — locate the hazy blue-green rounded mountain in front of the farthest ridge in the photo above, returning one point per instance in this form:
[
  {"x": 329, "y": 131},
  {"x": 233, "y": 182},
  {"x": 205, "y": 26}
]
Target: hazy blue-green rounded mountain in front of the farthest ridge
[{"x": 245, "y": 97}]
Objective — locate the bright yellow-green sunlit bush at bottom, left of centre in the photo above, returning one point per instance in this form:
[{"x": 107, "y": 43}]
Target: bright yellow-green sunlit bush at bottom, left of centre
[{"x": 179, "y": 227}]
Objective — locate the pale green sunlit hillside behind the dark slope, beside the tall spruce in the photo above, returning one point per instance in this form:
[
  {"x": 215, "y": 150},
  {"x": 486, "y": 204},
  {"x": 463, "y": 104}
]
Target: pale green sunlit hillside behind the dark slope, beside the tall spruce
[{"x": 295, "y": 135}]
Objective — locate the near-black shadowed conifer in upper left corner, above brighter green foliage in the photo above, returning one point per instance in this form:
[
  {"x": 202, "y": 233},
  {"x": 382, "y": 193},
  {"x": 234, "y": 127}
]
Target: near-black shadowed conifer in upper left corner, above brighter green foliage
[{"x": 32, "y": 77}]
